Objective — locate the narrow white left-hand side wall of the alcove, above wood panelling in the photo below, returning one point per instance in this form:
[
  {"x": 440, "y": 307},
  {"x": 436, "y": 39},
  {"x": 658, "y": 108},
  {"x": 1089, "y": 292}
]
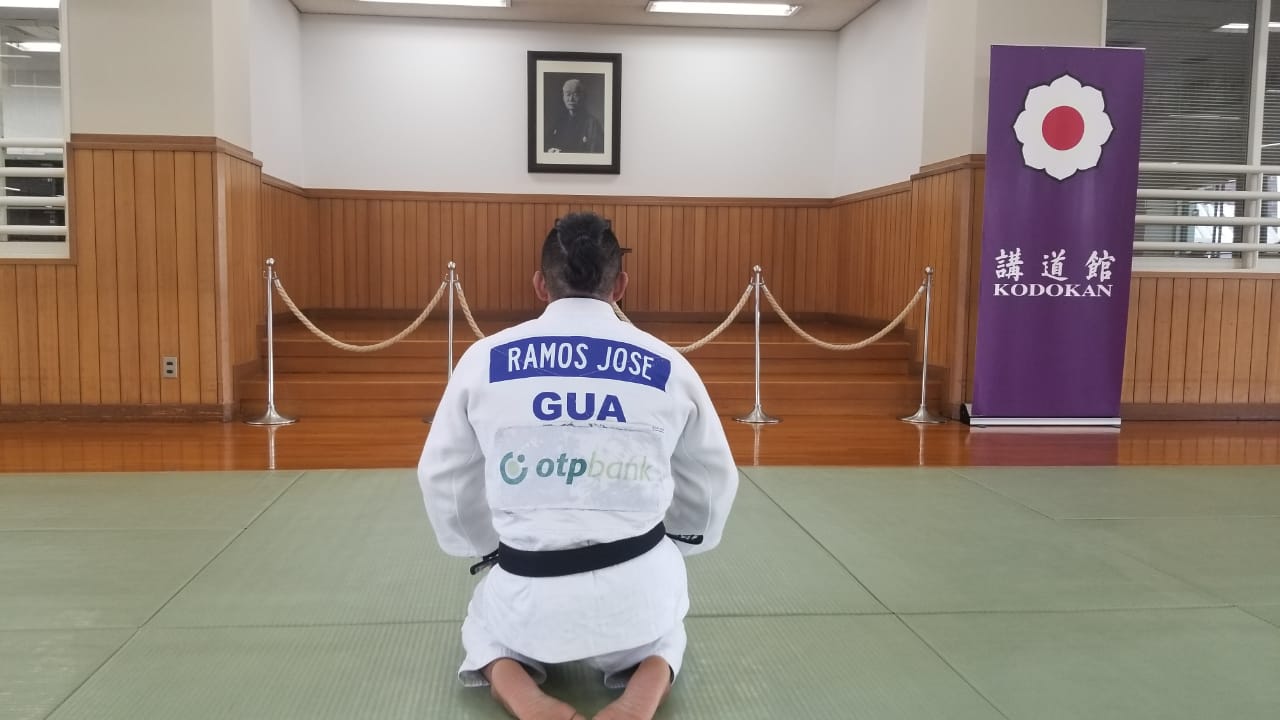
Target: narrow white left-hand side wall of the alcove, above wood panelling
[{"x": 277, "y": 89}]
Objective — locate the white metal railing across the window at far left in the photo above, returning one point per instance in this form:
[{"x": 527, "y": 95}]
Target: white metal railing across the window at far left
[{"x": 21, "y": 249}]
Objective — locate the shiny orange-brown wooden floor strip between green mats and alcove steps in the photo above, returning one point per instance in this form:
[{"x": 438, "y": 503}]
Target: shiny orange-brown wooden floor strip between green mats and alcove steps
[{"x": 851, "y": 441}]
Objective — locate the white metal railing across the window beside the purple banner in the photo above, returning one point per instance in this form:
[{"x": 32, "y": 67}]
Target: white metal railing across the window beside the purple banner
[{"x": 1252, "y": 220}]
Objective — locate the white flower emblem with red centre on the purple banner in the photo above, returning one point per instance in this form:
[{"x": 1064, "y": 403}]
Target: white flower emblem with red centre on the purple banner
[{"x": 1063, "y": 127}]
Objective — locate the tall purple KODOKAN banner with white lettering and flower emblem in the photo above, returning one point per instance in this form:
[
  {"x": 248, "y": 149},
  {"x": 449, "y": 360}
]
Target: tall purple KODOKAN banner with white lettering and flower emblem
[{"x": 1063, "y": 138}]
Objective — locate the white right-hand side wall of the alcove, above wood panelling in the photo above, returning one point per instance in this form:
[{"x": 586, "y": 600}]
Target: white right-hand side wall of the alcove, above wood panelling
[{"x": 880, "y": 97}]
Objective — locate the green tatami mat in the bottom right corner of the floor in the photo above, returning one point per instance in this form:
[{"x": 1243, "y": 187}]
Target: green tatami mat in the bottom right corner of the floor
[{"x": 1128, "y": 666}]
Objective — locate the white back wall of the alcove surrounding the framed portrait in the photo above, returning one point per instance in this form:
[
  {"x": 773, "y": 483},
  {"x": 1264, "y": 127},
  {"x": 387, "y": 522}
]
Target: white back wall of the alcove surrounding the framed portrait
[{"x": 438, "y": 106}]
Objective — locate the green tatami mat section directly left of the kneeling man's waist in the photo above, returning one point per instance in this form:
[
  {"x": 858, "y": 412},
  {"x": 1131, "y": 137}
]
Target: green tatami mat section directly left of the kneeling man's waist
[{"x": 336, "y": 548}]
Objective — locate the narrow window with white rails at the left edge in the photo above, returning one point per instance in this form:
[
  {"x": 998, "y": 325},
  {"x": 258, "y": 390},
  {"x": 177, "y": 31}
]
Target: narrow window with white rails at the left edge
[{"x": 33, "y": 135}]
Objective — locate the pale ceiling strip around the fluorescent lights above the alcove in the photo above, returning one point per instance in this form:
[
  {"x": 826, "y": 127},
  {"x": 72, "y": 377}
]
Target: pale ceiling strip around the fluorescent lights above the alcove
[{"x": 813, "y": 15}]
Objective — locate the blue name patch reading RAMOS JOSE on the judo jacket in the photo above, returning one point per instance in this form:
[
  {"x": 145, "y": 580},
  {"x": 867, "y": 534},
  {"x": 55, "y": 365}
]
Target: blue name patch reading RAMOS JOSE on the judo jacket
[{"x": 575, "y": 357}]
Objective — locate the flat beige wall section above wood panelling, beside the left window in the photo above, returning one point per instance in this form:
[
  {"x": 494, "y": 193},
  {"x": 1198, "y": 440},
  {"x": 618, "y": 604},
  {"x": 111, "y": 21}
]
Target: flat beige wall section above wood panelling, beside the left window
[{"x": 141, "y": 67}]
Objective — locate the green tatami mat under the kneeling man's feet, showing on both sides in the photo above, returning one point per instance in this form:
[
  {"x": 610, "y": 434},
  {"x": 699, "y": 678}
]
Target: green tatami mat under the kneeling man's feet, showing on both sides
[{"x": 737, "y": 668}]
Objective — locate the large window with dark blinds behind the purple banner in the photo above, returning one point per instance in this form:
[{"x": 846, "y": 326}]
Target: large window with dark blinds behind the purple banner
[{"x": 1200, "y": 112}]
